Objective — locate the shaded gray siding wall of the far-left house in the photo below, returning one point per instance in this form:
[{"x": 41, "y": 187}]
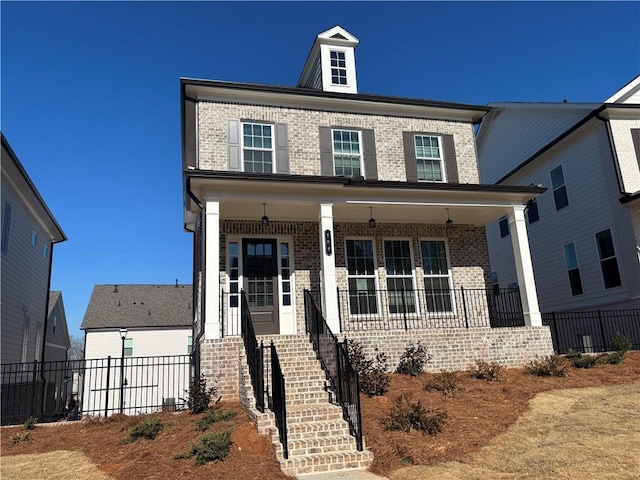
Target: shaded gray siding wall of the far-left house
[{"x": 25, "y": 278}]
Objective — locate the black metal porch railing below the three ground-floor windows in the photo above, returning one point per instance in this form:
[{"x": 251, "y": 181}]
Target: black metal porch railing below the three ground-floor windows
[{"x": 420, "y": 309}]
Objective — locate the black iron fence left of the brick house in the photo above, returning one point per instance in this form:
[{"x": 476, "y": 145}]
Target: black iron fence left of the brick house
[{"x": 97, "y": 387}]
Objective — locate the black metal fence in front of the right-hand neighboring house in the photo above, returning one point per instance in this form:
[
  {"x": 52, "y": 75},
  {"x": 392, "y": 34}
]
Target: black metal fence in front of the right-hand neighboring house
[{"x": 592, "y": 331}]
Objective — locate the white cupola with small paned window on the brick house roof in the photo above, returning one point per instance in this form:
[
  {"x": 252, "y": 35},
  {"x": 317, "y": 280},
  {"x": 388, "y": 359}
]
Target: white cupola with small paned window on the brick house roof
[{"x": 331, "y": 64}]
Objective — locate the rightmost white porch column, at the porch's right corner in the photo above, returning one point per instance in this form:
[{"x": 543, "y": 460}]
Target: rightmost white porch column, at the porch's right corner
[{"x": 524, "y": 267}]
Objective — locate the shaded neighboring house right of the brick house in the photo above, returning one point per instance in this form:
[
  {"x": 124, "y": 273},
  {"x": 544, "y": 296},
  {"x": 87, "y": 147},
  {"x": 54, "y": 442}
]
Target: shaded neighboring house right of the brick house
[{"x": 584, "y": 231}]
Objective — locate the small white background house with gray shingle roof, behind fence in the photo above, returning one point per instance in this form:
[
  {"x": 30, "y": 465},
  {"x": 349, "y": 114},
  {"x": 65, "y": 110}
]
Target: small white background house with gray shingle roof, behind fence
[{"x": 150, "y": 328}]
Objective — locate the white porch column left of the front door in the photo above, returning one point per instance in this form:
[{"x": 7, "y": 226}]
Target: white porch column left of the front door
[{"x": 212, "y": 268}]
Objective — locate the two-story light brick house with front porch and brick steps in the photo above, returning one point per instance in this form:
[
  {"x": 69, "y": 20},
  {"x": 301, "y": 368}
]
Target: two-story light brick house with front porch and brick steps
[{"x": 370, "y": 205}]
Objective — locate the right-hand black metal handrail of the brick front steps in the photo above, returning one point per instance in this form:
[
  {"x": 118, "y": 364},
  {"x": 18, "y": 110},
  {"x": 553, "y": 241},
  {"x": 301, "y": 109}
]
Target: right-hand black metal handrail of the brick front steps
[{"x": 334, "y": 359}]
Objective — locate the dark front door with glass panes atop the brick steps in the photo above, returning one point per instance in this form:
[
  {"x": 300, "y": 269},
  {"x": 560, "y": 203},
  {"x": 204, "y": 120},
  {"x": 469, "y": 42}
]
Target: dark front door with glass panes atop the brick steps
[{"x": 260, "y": 272}]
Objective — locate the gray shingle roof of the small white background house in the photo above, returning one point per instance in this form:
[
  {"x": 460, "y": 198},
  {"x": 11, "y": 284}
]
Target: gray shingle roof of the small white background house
[{"x": 116, "y": 306}]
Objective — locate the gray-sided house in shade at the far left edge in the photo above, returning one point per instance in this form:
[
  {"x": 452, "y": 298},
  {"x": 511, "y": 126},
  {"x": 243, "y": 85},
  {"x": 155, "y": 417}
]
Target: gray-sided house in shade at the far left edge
[{"x": 29, "y": 232}]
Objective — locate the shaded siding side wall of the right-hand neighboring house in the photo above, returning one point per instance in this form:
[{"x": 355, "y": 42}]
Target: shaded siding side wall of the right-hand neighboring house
[{"x": 593, "y": 206}]
